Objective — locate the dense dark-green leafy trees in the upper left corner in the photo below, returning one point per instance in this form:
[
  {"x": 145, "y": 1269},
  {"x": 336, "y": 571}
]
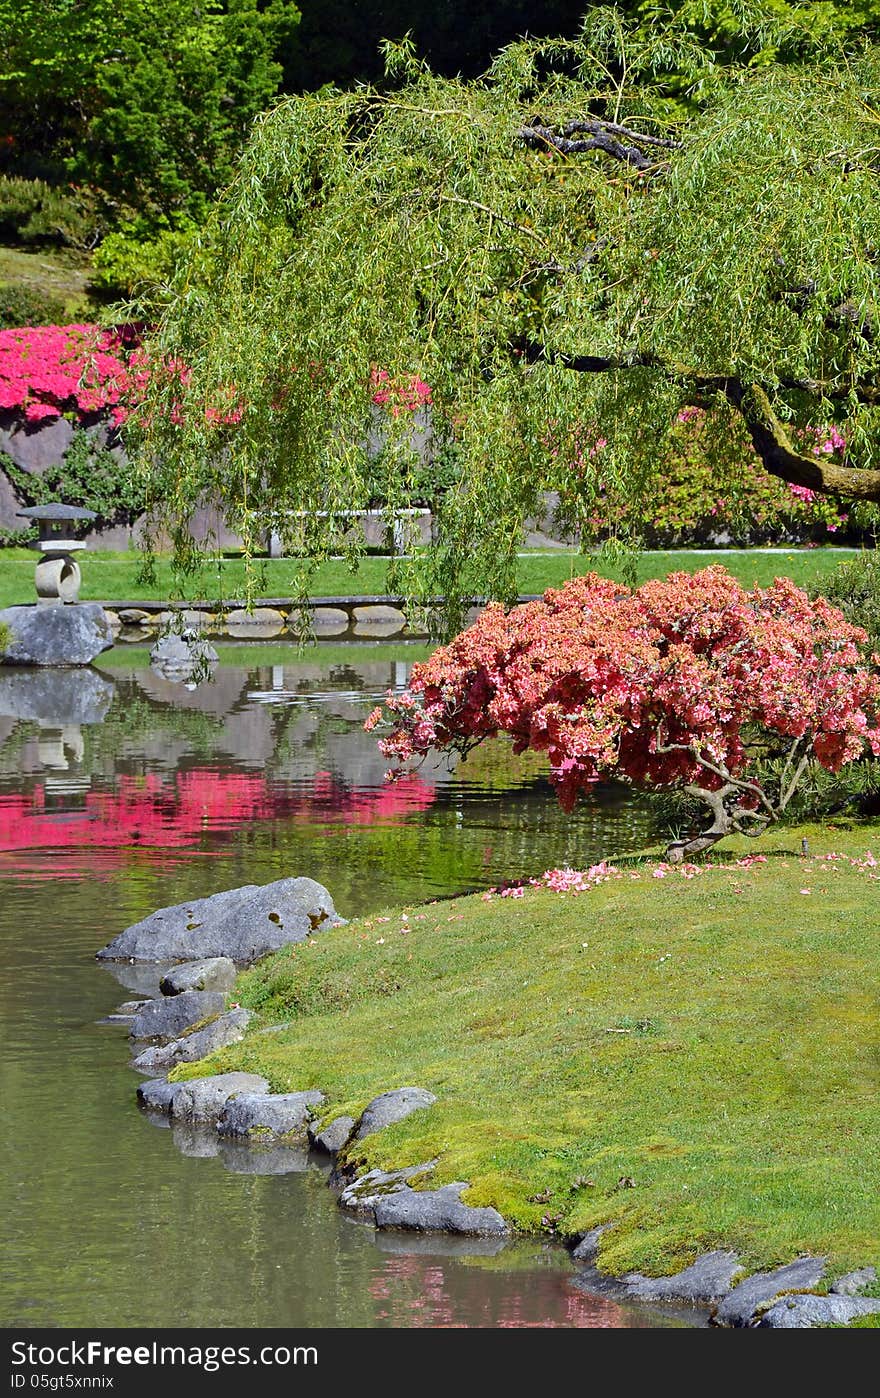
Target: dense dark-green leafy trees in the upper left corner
[{"x": 145, "y": 103}]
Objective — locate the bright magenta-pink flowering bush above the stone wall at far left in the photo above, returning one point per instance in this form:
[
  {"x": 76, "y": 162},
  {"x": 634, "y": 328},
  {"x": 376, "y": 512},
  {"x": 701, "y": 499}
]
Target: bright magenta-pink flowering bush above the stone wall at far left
[{"x": 82, "y": 370}]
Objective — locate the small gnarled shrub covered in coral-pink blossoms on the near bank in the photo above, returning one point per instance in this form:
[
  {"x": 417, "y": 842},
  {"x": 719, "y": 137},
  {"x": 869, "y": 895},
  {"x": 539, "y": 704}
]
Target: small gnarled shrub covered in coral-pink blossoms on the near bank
[{"x": 668, "y": 687}]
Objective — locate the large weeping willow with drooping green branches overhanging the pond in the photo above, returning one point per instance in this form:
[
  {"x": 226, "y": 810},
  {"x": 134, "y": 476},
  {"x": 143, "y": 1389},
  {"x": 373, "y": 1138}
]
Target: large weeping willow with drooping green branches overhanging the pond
[{"x": 567, "y": 258}]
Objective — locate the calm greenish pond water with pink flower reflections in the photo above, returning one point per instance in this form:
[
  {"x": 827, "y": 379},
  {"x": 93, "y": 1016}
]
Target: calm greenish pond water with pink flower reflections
[{"x": 121, "y": 792}]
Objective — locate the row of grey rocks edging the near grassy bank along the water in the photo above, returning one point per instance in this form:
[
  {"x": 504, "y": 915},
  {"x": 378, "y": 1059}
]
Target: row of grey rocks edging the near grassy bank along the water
[{"x": 204, "y": 943}]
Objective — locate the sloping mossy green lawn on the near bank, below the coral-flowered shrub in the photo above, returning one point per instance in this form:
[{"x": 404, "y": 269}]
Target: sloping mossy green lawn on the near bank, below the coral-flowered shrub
[{"x": 693, "y": 1059}]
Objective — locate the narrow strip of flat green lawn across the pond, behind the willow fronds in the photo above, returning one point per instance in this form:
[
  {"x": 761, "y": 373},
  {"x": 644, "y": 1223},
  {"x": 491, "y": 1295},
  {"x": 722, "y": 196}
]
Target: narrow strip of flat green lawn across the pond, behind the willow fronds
[{"x": 114, "y": 577}]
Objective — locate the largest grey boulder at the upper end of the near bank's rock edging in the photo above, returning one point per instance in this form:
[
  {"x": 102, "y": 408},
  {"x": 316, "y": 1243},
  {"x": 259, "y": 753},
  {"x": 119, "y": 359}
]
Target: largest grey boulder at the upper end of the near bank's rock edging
[{"x": 240, "y": 923}]
